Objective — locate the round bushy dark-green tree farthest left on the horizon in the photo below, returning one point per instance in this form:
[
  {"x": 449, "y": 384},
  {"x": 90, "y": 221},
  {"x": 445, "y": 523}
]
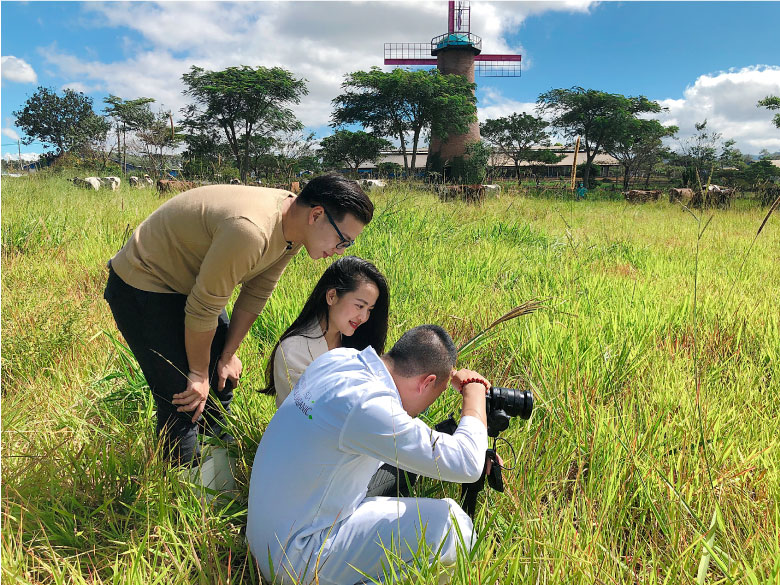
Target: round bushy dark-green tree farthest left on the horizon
[{"x": 64, "y": 122}]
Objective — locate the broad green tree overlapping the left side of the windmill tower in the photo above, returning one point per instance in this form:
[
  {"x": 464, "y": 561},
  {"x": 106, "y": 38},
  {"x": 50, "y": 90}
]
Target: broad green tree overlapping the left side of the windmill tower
[{"x": 400, "y": 102}]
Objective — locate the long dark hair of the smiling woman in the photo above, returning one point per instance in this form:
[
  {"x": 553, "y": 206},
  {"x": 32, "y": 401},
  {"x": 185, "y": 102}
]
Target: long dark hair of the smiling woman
[{"x": 345, "y": 275}]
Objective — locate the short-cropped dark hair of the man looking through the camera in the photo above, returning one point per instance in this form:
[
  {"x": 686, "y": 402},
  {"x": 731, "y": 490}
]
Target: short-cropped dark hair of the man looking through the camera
[{"x": 426, "y": 349}]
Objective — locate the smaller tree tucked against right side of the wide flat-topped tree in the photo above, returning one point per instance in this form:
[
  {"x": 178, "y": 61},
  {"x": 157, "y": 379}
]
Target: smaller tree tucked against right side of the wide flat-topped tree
[{"x": 637, "y": 145}]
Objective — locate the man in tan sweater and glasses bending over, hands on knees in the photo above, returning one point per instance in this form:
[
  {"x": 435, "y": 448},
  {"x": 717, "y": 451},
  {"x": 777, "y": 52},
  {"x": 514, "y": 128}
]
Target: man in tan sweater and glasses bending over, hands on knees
[{"x": 169, "y": 285}]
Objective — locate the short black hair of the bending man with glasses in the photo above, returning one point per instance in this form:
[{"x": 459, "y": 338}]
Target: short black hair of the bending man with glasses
[{"x": 339, "y": 196}]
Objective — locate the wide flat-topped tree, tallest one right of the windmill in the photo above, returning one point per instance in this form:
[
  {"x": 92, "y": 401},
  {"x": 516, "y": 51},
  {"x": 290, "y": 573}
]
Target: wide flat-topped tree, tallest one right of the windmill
[{"x": 593, "y": 115}]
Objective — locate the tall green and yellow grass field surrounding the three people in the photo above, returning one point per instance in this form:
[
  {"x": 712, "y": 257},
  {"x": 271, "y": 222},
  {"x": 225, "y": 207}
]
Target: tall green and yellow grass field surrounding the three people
[{"x": 652, "y": 455}]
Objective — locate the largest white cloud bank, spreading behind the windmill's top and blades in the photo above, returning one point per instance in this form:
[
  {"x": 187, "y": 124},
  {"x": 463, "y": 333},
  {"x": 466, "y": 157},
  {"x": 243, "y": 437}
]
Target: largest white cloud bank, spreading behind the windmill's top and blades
[{"x": 319, "y": 41}]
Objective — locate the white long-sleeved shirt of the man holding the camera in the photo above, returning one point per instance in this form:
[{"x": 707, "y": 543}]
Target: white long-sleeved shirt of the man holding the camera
[{"x": 323, "y": 445}]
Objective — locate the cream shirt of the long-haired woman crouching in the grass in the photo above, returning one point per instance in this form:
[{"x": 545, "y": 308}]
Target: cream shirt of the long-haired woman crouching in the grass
[{"x": 293, "y": 356}]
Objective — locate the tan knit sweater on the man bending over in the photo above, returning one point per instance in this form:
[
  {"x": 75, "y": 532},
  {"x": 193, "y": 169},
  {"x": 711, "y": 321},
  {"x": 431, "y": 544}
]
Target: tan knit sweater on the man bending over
[{"x": 203, "y": 243}]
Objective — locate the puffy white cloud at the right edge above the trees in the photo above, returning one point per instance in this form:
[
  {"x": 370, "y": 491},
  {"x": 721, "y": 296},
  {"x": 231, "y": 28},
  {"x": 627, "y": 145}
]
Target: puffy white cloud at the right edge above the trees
[{"x": 727, "y": 100}]
